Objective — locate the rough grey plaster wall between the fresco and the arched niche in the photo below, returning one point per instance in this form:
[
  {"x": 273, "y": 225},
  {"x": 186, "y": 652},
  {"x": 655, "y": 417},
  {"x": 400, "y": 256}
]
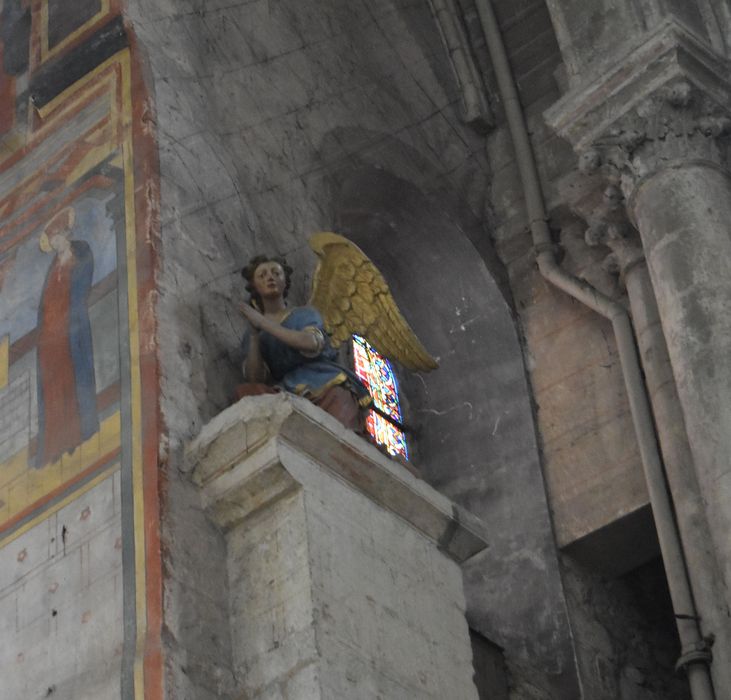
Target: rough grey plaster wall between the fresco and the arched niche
[{"x": 257, "y": 105}]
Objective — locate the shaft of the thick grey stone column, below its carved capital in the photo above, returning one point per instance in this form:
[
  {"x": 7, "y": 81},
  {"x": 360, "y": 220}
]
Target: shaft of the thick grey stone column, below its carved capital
[{"x": 683, "y": 212}]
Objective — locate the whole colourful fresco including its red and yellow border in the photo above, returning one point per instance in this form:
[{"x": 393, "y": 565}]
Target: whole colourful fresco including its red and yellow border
[{"x": 77, "y": 166}]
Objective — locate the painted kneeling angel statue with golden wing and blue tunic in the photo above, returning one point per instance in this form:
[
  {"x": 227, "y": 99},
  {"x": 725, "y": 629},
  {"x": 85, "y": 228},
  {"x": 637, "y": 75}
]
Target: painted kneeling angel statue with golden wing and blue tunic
[{"x": 295, "y": 349}]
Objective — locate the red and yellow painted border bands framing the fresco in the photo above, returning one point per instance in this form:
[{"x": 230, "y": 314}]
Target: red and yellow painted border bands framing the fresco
[{"x": 128, "y": 130}]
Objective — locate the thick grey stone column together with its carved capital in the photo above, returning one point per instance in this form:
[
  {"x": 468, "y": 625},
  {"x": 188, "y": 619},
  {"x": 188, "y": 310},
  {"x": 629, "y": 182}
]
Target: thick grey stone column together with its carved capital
[{"x": 656, "y": 124}]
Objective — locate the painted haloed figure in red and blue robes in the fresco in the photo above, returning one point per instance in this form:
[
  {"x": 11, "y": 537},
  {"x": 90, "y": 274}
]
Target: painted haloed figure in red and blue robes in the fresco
[{"x": 67, "y": 412}]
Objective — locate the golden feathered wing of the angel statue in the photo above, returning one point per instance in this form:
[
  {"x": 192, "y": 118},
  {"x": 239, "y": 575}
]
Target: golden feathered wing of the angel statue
[{"x": 353, "y": 297}]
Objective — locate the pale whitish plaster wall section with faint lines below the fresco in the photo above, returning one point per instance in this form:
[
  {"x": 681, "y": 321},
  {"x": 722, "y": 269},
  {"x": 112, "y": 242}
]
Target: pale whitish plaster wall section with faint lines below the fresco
[{"x": 61, "y": 602}]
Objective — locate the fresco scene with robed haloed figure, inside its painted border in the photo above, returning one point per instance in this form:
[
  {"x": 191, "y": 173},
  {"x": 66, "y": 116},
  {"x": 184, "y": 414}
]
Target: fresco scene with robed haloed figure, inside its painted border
[{"x": 61, "y": 226}]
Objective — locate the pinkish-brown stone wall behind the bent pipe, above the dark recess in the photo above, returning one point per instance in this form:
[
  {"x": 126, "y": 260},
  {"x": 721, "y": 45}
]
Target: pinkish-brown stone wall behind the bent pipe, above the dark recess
[{"x": 593, "y": 477}]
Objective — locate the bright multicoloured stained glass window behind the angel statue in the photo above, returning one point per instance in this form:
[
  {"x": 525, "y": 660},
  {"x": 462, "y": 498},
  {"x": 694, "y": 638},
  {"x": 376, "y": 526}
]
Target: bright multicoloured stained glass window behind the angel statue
[{"x": 376, "y": 373}]
